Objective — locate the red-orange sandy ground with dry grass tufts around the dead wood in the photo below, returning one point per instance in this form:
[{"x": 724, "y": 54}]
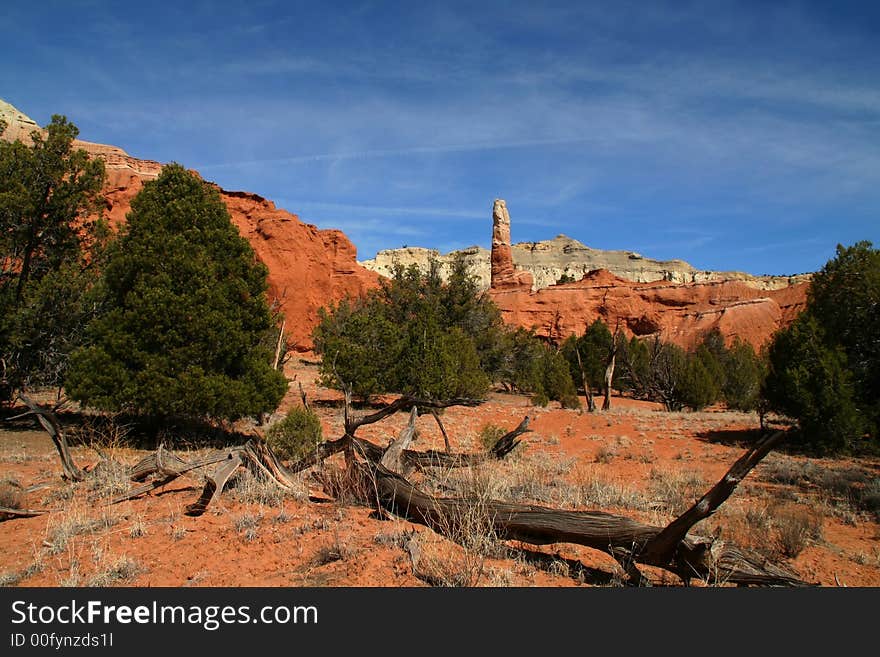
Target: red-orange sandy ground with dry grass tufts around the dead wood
[{"x": 301, "y": 542}]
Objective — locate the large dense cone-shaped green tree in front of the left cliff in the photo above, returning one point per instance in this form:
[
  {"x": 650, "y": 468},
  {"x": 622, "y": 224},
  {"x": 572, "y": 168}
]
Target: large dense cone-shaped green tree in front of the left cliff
[{"x": 186, "y": 328}]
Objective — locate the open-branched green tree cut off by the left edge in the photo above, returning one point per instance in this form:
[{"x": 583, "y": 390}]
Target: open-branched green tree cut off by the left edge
[{"x": 49, "y": 229}]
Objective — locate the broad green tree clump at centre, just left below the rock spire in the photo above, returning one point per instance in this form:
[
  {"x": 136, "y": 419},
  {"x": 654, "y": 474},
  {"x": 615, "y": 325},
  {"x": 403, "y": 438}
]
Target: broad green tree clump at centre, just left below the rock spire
[{"x": 419, "y": 335}]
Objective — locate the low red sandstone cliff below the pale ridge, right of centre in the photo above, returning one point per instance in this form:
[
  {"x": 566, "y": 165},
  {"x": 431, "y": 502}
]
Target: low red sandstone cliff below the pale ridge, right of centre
[{"x": 680, "y": 313}]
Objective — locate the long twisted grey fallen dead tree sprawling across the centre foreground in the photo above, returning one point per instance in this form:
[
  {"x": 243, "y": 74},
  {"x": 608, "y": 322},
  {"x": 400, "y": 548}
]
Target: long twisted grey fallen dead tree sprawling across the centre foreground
[{"x": 382, "y": 473}]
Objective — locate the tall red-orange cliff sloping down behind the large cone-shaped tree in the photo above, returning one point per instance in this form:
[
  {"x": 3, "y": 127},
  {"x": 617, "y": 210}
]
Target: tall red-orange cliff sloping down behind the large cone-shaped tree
[{"x": 308, "y": 267}]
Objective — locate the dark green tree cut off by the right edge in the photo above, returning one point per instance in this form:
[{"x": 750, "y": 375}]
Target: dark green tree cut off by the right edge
[{"x": 824, "y": 370}]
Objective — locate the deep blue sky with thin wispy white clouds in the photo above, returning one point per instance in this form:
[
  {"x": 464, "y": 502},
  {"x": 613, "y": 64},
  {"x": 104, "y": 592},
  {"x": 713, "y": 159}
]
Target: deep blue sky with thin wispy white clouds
[{"x": 733, "y": 135}]
